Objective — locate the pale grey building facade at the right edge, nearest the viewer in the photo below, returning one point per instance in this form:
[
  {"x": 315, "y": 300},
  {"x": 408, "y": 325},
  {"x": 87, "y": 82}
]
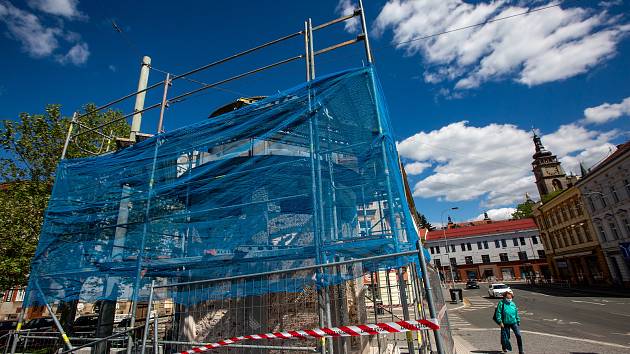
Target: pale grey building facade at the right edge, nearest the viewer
[{"x": 606, "y": 192}]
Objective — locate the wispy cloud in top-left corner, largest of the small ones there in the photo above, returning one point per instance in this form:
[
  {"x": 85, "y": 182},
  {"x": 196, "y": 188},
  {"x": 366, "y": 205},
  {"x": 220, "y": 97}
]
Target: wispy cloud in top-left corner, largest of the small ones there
[{"x": 37, "y": 40}]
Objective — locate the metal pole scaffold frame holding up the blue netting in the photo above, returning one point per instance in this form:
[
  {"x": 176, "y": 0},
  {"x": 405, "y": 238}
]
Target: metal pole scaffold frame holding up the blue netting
[{"x": 317, "y": 156}]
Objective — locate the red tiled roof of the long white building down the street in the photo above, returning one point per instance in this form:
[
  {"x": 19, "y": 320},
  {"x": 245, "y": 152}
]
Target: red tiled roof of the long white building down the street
[{"x": 496, "y": 227}]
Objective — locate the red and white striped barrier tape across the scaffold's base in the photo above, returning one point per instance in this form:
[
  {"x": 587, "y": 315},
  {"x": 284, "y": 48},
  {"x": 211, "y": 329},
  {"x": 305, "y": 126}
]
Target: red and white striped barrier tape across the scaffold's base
[{"x": 343, "y": 331}]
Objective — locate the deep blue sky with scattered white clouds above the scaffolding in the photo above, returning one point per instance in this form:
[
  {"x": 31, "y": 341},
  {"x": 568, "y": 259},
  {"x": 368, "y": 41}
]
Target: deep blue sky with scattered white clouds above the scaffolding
[{"x": 463, "y": 99}]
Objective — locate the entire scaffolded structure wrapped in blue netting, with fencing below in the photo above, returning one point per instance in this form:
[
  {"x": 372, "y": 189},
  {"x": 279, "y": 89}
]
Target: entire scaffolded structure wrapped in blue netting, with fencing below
[{"x": 278, "y": 224}]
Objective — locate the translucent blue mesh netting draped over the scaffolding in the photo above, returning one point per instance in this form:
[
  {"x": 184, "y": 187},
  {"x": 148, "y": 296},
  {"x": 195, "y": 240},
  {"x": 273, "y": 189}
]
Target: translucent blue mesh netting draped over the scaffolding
[{"x": 308, "y": 176}]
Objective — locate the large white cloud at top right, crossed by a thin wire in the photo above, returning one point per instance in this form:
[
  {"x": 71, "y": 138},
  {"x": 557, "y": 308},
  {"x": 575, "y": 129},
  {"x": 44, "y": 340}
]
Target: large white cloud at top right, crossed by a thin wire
[{"x": 544, "y": 46}]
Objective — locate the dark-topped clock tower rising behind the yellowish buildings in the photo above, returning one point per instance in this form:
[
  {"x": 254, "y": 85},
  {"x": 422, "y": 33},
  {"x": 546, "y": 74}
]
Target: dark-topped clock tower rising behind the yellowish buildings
[{"x": 548, "y": 171}]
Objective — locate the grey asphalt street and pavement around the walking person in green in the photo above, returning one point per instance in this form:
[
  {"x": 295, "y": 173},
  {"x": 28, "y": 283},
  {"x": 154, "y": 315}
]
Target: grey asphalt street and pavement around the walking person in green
[{"x": 552, "y": 320}]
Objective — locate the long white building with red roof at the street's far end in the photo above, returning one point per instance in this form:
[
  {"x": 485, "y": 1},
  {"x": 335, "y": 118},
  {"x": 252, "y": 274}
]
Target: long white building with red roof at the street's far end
[{"x": 495, "y": 250}]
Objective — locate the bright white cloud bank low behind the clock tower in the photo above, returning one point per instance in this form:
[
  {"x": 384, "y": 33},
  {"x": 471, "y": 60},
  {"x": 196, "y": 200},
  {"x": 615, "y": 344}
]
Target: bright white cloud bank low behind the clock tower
[{"x": 493, "y": 162}]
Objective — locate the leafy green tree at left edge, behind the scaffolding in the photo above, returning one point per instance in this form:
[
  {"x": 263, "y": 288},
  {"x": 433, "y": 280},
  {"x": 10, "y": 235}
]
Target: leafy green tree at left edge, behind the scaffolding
[{"x": 30, "y": 150}]
